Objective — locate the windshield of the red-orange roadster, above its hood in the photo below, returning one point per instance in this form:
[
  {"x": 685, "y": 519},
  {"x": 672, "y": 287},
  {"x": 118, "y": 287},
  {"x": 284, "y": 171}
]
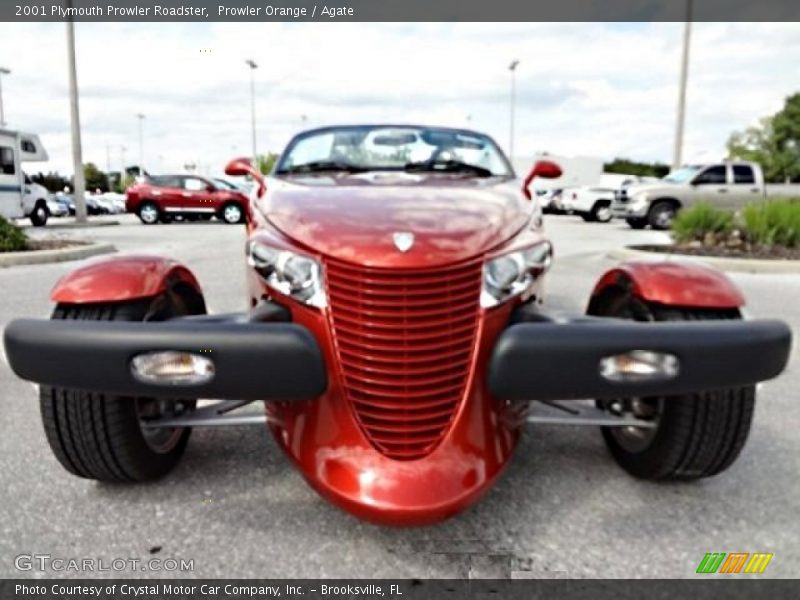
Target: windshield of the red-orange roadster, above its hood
[{"x": 381, "y": 148}]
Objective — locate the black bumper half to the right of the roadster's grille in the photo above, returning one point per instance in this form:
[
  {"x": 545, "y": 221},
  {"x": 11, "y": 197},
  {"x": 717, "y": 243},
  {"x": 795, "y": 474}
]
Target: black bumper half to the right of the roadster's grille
[{"x": 552, "y": 360}]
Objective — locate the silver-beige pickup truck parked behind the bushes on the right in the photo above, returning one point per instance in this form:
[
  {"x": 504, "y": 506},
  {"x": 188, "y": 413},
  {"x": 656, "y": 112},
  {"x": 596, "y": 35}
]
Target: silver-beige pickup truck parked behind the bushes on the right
[{"x": 726, "y": 184}]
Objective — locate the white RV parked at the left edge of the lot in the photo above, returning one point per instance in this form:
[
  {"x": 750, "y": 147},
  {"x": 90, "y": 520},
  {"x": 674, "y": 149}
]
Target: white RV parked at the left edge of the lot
[{"x": 18, "y": 196}]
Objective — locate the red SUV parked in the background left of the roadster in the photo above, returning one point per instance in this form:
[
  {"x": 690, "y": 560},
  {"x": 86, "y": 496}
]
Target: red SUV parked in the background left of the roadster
[{"x": 164, "y": 196}]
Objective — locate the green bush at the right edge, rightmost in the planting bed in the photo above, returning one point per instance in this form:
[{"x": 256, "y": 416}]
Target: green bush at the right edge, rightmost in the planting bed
[{"x": 776, "y": 222}]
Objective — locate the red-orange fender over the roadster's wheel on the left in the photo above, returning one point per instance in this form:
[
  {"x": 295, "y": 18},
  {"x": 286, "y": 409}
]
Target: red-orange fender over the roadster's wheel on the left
[{"x": 122, "y": 278}]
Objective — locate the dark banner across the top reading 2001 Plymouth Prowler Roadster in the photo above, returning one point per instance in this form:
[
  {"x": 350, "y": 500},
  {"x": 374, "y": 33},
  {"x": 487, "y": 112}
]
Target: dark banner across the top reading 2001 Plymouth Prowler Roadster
[{"x": 399, "y": 10}]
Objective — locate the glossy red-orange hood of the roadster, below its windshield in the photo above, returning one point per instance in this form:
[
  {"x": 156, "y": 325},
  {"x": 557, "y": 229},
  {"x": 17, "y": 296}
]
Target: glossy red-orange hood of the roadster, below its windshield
[{"x": 354, "y": 218}]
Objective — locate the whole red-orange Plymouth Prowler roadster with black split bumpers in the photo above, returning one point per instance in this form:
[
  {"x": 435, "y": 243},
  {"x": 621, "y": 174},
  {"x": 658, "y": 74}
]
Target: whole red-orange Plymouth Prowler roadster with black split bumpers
[{"x": 396, "y": 337}]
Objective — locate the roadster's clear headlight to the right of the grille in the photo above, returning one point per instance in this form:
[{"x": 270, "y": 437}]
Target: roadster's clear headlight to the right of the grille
[{"x": 512, "y": 274}]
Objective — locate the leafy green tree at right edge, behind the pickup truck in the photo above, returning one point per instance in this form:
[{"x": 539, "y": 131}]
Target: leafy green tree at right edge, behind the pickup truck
[{"x": 774, "y": 143}]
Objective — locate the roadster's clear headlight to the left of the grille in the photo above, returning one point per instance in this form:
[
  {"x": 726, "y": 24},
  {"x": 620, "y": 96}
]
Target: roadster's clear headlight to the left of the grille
[{"x": 291, "y": 274}]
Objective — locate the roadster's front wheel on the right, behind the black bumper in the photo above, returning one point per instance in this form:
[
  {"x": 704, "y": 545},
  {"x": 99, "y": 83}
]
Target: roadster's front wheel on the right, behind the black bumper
[{"x": 696, "y": 435}]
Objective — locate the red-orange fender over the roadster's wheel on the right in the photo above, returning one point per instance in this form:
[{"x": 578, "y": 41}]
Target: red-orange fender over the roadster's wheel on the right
[{"x": 671, "y": 283}]
